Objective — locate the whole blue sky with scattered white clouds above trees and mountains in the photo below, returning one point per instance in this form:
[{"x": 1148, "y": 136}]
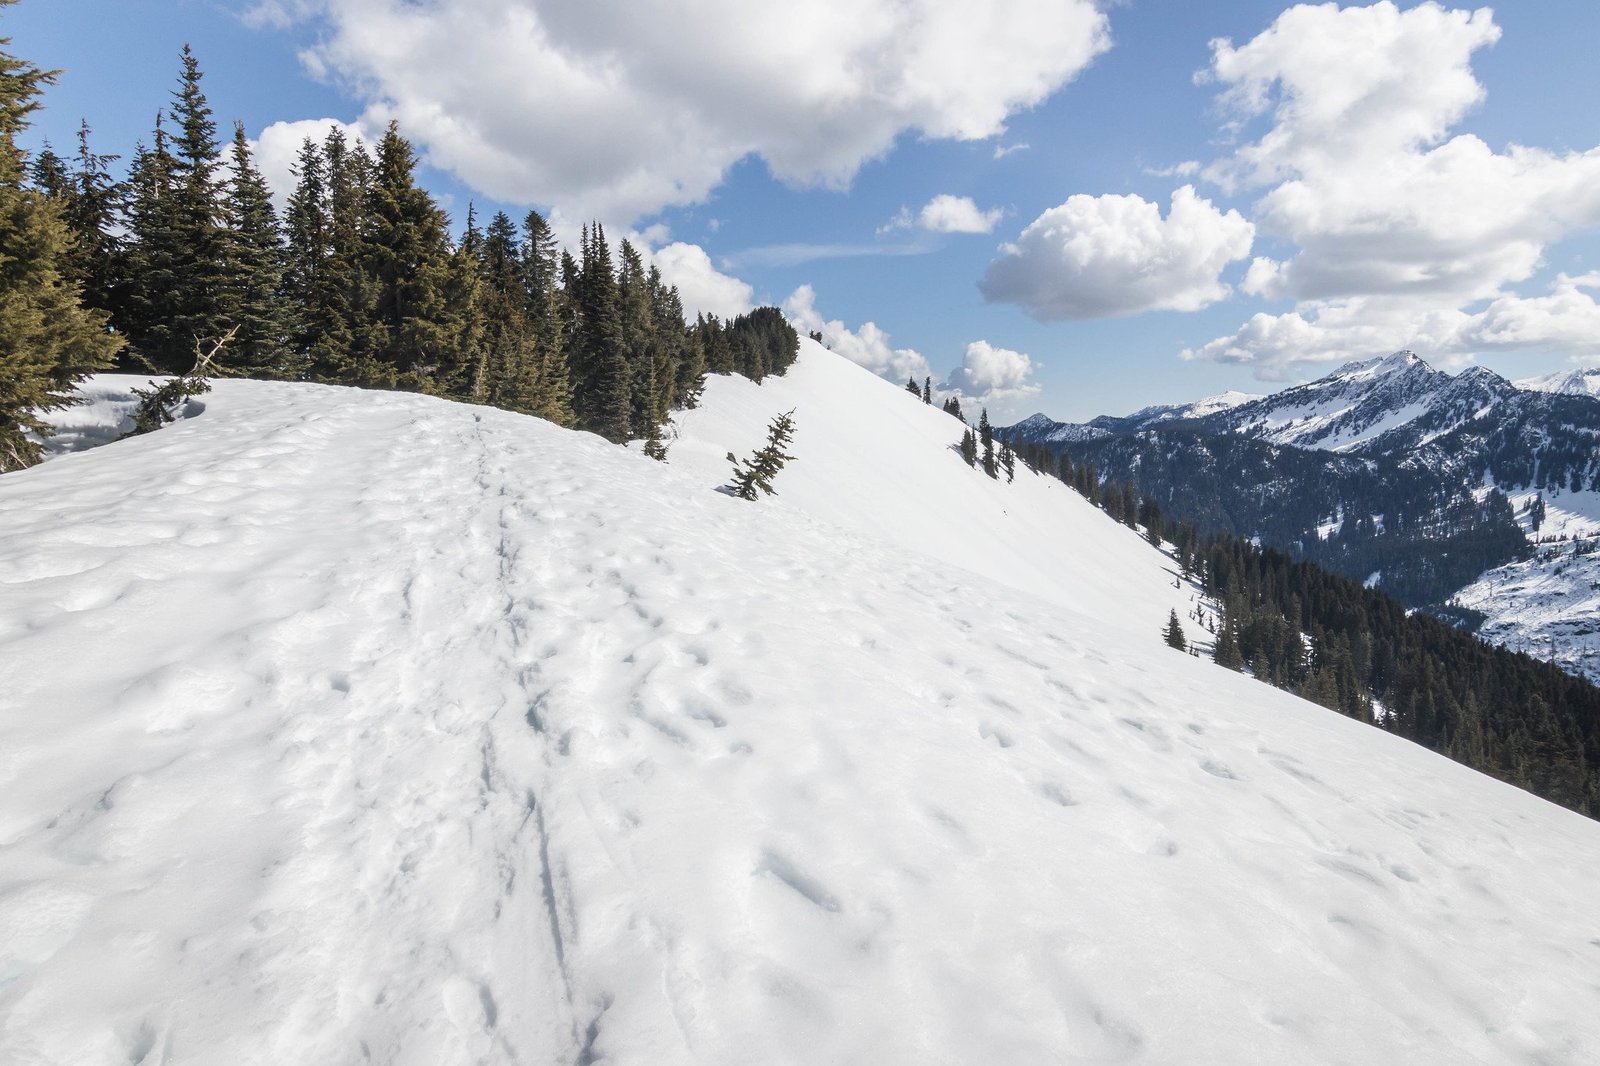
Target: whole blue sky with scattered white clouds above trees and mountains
[{"x": 1066, "y": 207}]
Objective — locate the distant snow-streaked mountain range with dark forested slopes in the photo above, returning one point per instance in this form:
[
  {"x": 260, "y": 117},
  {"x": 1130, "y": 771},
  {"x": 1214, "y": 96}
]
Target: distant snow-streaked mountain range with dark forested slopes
[{"x": 1398, "y": 475}]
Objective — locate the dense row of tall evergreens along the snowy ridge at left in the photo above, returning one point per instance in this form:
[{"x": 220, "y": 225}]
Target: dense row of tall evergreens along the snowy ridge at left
[{"x": 361, "y": 283}]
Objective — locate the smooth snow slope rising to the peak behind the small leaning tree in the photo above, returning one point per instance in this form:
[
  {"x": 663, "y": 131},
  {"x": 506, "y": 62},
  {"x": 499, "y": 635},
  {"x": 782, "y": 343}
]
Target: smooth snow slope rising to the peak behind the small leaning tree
[{"x": 892, "y": 470}]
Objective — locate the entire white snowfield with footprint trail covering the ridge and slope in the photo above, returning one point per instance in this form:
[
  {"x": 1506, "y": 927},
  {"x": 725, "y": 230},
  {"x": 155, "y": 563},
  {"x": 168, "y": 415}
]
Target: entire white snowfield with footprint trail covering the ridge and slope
[{"x": 358, "y": 727}]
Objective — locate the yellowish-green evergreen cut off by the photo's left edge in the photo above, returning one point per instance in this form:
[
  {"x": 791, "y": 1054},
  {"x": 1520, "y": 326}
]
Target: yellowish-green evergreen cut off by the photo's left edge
[{"x": 47, "y": 340}]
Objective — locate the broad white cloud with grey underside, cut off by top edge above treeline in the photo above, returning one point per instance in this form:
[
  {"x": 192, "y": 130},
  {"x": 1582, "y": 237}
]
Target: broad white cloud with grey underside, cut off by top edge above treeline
[{"x": 620, "y": 108}]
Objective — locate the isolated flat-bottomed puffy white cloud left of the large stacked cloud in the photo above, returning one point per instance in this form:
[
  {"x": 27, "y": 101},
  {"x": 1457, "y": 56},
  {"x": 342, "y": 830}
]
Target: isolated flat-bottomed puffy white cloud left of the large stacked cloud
[{"x": 1116, "y": 255}]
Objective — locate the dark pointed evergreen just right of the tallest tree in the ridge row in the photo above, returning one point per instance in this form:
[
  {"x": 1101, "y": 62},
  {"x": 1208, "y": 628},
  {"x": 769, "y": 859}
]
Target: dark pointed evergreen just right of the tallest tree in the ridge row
[{"x": 254, "y": 297}]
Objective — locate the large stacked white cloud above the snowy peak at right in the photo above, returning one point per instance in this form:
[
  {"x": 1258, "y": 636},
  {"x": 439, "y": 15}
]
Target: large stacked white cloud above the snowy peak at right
[{"x": 1401, "y": 234}]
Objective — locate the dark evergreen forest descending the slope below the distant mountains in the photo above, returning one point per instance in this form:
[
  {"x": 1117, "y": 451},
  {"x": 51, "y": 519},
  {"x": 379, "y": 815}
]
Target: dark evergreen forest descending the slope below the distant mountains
[{"x": 1361, "y": 652}]
